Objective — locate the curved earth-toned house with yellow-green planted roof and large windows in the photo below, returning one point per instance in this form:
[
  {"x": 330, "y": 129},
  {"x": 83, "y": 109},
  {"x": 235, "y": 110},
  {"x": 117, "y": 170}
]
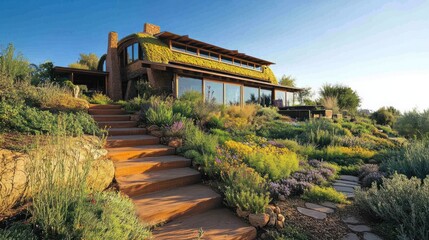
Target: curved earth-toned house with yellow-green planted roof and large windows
[{"x": 175, "y": 64}]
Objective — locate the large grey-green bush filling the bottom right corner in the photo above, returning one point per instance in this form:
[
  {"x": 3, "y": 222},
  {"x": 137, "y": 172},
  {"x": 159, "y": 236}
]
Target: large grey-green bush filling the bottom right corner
[{"x": 401, "y": 202}]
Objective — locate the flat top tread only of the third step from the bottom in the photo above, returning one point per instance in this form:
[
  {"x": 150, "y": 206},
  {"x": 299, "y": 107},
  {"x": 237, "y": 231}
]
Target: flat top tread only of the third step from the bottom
[{"x": 148, "y": 178}]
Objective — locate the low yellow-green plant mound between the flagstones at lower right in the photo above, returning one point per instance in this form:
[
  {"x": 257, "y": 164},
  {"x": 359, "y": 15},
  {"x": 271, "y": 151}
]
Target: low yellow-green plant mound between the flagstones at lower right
[{"x": 320, "y": 194}]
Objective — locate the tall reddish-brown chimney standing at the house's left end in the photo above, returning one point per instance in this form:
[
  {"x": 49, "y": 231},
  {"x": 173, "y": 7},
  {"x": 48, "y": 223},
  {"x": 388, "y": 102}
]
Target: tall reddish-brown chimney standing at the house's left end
[{"x": 114, "y": 86}]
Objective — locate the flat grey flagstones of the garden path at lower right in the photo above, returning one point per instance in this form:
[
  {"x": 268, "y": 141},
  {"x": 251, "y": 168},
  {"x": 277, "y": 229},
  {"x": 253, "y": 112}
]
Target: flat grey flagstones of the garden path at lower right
[{"x": 346, "y": 185}]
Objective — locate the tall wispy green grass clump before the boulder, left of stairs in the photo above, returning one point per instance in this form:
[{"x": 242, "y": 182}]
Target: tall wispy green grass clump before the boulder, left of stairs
[{"x": 64, "y": 205}]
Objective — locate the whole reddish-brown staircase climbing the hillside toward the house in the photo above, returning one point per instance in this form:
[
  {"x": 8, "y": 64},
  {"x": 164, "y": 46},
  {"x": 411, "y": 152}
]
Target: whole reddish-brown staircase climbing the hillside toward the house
[{"x": 167, "y": 193}]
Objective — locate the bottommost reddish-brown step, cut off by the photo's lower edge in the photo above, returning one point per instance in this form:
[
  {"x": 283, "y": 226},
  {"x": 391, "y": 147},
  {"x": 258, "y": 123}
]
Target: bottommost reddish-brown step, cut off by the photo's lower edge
[{"x": 216, "y": 224}]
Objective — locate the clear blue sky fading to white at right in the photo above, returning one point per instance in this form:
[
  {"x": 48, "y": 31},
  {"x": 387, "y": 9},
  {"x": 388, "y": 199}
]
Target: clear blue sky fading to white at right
[{"x": 379, "y": 48}]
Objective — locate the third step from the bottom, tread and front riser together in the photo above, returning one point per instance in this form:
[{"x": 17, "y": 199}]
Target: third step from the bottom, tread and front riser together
[{"x": 148, "y": 182}]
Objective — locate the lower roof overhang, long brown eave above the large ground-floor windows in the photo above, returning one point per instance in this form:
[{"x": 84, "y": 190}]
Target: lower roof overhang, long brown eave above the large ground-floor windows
[{"x": 182, "y": 68}]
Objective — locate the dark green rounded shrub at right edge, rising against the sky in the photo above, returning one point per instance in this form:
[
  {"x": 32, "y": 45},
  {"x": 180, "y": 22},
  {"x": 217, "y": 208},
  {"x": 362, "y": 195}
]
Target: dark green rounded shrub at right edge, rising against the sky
[{"x": 413, "y": 124}]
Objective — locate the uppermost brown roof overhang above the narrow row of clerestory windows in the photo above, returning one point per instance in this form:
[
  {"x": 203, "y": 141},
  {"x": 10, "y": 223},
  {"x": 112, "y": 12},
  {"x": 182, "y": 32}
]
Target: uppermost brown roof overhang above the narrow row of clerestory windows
[{"x": 185, "y": 39}]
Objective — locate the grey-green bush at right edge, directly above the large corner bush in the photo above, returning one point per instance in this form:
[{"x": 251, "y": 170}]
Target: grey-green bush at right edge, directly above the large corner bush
[{"x": 410, "y": 160}]
